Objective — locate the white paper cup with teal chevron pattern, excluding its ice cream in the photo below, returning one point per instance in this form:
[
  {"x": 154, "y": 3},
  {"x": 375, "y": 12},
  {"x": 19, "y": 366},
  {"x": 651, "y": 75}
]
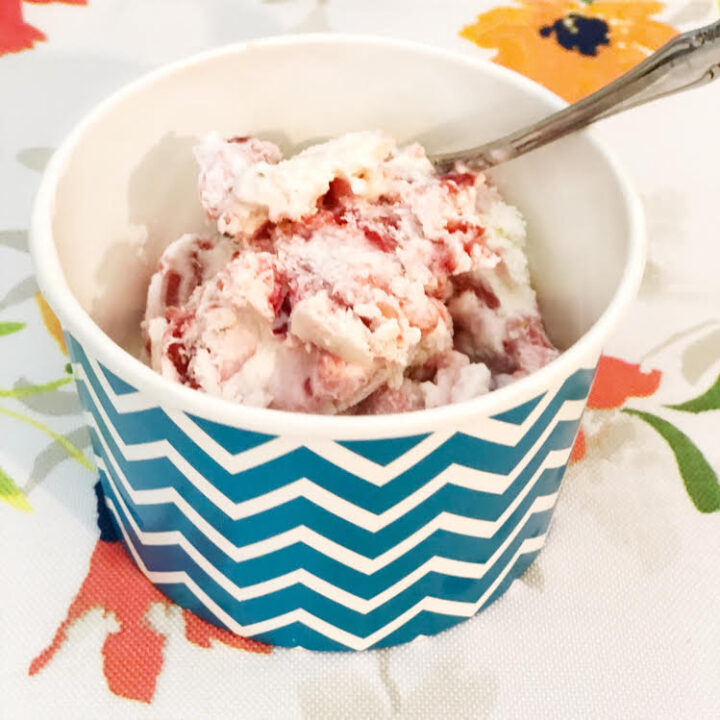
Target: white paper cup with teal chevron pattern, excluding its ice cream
[{"x": 331, "y": 533}]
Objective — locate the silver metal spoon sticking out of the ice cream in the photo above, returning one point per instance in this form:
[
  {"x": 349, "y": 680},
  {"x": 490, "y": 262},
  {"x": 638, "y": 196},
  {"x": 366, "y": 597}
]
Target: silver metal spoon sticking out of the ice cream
[{"x": 687, "y": 61}]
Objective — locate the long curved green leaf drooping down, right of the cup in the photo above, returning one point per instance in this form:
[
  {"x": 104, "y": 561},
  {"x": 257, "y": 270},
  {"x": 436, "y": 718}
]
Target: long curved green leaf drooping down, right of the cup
[{"x": 700, "y": 479}]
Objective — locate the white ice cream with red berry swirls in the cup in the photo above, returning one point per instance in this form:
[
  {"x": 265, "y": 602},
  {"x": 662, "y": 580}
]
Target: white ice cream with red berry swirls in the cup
[{"x": 348, "y": 278}]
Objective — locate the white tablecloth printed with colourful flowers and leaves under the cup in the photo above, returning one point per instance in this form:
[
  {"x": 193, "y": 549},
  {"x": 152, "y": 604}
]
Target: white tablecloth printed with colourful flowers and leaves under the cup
[{"x": 620, "y": 615}]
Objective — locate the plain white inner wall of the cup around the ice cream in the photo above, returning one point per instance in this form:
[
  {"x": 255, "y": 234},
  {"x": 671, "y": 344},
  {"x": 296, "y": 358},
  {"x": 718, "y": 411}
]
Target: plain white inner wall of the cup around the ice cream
[{"x": 128, "y": 187}]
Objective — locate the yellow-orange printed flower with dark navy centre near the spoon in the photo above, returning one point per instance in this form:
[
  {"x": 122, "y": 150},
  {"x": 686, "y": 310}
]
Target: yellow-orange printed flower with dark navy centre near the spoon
[{"x": 571, "y": 47}]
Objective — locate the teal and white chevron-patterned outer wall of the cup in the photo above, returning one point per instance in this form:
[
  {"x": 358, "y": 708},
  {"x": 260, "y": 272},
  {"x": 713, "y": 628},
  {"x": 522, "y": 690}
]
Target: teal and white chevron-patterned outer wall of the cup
[{"x": 323, "y": 544}]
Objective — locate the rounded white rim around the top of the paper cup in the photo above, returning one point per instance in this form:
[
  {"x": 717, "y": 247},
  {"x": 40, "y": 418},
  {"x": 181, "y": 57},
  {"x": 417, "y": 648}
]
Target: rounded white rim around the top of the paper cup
[{"x": 173, "y": 395}]
